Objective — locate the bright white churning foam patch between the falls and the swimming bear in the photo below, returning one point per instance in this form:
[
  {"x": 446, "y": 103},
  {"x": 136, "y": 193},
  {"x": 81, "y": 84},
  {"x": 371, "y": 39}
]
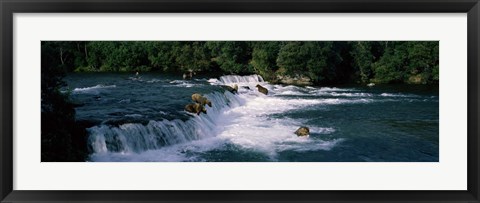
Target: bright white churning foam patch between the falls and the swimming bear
[{"x": 259, "y": 132}]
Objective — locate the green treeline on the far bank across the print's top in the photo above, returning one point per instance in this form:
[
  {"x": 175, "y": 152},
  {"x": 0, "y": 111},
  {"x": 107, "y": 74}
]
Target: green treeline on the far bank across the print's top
[{"x": 322, "y": 62}]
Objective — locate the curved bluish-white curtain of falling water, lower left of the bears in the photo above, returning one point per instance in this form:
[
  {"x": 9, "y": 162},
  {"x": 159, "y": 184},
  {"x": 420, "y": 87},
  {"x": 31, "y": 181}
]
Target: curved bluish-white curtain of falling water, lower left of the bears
[{"x": 134, "y": 137}]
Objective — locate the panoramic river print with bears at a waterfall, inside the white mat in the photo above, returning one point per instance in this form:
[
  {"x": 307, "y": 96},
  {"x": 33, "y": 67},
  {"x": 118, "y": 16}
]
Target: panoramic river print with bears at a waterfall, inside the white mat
[{"x": 240, "y": 101}]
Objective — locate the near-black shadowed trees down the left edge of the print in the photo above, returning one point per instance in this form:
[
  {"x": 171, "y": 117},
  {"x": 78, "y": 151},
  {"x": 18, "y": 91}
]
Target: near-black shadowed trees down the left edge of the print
[{"x": 62, "y": 138}]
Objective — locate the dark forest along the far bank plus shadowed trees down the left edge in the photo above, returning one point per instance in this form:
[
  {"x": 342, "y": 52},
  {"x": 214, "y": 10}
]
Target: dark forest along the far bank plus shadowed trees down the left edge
[{"x": 317, "y": 62}]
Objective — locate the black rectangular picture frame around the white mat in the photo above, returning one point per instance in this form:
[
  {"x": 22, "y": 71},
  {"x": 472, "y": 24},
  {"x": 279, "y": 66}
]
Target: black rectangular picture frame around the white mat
[{"x": 9, "y": 7}]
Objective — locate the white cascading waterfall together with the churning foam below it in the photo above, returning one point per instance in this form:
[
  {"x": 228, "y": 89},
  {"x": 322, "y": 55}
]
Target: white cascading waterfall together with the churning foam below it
[{"x": 228, "y": 119}]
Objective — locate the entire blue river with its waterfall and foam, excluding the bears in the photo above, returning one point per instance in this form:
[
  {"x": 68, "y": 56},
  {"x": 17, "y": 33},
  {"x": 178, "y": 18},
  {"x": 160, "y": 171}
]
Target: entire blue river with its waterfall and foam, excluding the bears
[{"x": 143, "y": 119}]
